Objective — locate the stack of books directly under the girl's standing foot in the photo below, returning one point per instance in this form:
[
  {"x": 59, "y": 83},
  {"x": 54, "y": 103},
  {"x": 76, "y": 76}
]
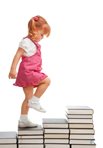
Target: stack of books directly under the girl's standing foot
[{"x": 30, "y": 137}]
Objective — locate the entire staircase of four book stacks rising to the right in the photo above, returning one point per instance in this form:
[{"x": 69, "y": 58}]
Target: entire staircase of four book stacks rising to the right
[{"x": 74, "y": 131}]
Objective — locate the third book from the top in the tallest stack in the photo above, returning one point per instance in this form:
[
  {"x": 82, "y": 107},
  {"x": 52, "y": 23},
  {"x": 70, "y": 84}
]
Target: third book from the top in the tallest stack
[{"x": 80, "y": 121}]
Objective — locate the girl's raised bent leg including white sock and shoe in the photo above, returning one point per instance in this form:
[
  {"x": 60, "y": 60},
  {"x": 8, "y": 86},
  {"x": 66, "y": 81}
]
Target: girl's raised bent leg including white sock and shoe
[{"x": 41, "y": 88}]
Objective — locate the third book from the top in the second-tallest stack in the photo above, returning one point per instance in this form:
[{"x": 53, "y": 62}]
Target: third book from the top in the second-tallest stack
[{"x": 62, "y": 136}]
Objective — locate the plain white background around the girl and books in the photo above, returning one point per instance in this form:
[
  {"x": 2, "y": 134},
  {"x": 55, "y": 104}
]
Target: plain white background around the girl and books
[{"x": 72, "y": 58}]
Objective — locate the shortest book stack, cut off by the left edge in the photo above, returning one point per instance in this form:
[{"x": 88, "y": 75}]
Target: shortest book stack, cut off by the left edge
[{"x": 8, "y": 140}]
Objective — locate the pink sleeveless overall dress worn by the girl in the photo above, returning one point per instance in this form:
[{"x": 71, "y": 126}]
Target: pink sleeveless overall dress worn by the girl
[{"x": 29, "y": 73}]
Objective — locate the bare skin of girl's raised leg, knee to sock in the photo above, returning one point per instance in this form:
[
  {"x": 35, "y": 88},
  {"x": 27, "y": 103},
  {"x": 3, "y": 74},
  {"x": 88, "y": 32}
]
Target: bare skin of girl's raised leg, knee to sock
[{"x": 42, "y": 87}]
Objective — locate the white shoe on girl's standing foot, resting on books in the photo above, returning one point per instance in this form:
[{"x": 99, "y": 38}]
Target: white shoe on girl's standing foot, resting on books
[{"x": 26, "y": 123}]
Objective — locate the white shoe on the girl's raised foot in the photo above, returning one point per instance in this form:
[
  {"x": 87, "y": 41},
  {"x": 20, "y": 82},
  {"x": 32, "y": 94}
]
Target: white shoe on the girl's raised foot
[{"x": 36, "y": 106}]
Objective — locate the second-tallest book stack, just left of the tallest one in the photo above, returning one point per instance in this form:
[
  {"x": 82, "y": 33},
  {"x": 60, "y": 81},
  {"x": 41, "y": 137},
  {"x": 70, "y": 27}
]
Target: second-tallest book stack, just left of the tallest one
[{"x": 56, "y": 133}]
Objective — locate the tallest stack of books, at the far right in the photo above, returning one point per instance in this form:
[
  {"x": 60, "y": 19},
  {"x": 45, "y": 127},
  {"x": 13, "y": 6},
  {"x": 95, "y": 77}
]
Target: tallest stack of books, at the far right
[{"x": 80, "y": 119}]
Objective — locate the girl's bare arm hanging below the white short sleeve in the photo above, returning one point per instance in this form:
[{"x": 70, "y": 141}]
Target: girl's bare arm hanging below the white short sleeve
[{"x": 19, "y": 53}]
